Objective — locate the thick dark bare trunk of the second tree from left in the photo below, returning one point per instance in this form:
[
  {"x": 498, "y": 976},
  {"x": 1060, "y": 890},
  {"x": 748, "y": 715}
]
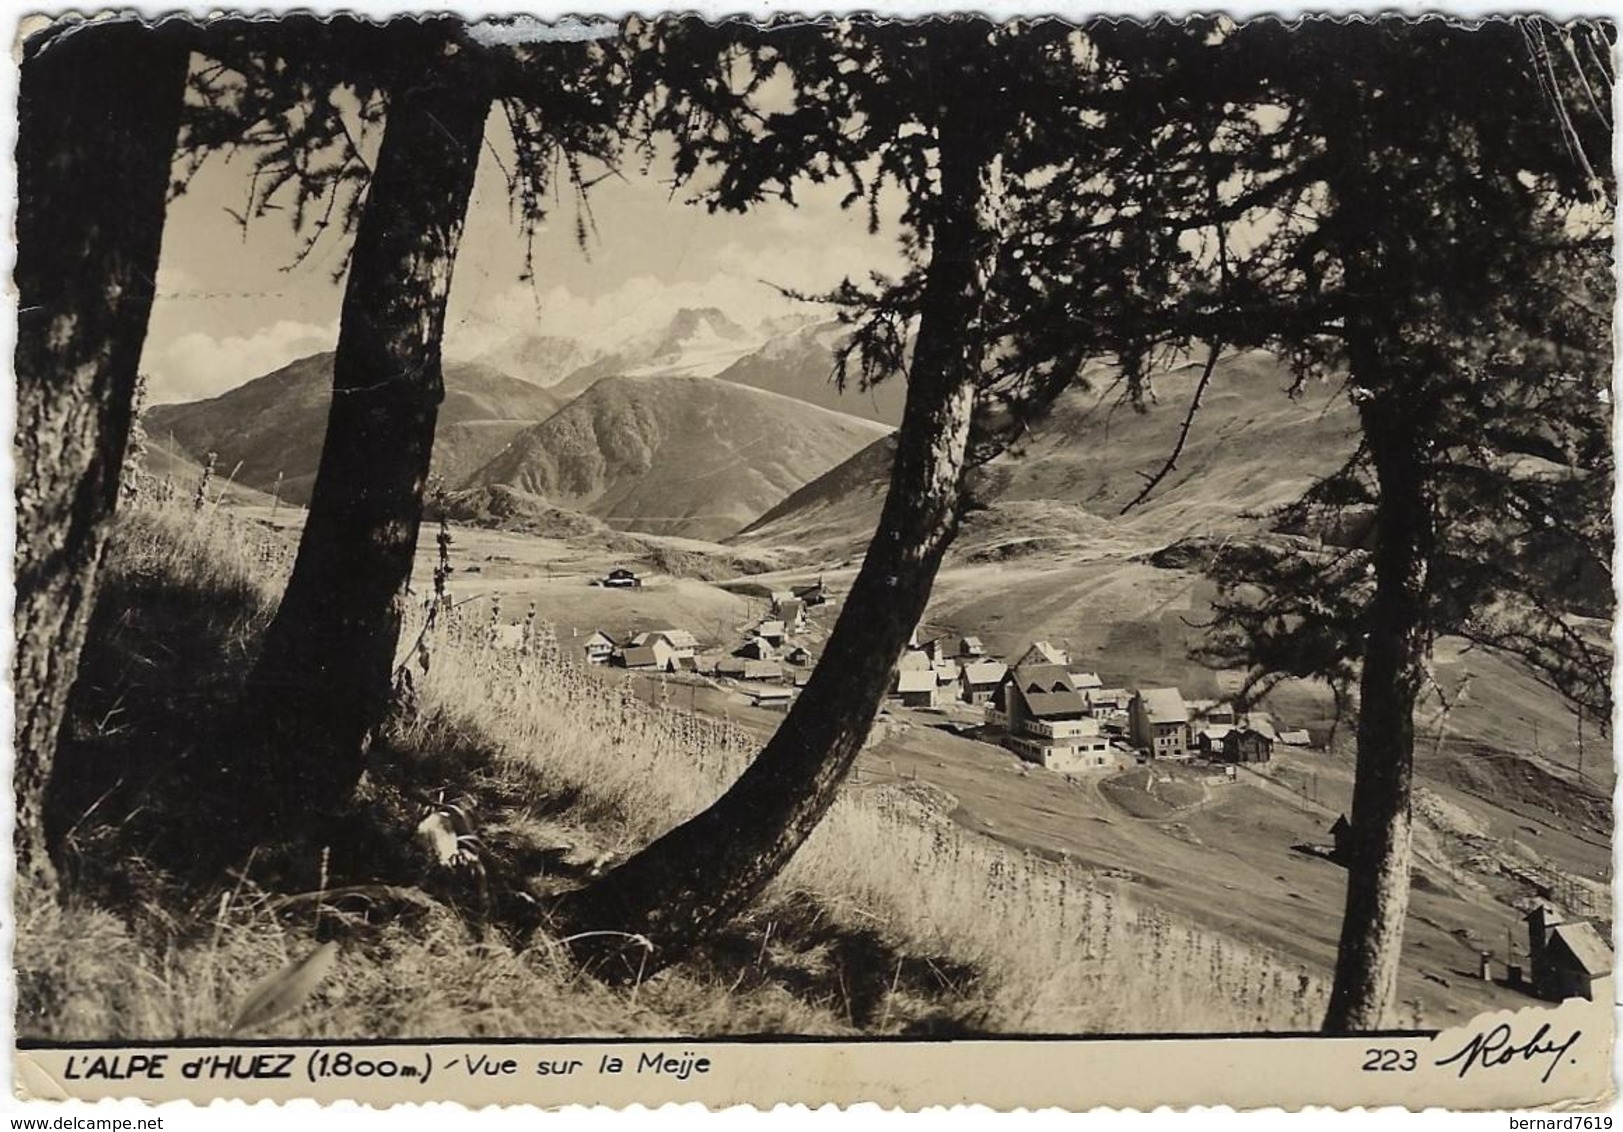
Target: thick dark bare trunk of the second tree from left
[{"x": 322, "y": 681}]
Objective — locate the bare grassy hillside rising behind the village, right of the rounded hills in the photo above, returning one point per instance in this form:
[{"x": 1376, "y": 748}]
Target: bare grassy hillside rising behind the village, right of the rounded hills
[{"x": 1048, "y": 555}]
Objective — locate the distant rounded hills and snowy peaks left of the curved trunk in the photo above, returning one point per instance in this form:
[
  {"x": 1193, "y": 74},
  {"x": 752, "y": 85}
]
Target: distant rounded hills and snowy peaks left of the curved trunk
[{"x": 749, "y": 418}]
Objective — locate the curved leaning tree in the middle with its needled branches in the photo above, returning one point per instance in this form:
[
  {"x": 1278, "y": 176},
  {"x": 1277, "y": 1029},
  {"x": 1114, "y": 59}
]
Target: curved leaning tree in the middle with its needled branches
[{"x": 968, "y": 118}]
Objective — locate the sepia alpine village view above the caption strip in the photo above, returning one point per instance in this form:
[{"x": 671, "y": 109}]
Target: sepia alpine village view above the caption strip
[{"x": 814, "y": 529}]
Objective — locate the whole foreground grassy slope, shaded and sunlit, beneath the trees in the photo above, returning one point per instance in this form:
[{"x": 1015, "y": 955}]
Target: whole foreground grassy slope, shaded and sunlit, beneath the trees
[{"x": 892, "y": 918}]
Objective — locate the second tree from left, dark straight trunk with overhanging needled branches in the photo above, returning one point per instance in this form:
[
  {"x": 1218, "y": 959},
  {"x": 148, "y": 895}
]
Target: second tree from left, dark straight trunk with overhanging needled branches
[{"x": 322, "y": 683}]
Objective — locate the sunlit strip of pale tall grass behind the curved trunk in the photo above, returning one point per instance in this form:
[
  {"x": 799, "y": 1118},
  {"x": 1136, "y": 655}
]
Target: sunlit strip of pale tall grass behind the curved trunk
[{"x": 1054, "y": 949}]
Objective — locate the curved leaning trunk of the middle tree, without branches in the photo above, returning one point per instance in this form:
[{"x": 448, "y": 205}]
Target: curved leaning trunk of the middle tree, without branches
[{"x": 702, "y": 875}]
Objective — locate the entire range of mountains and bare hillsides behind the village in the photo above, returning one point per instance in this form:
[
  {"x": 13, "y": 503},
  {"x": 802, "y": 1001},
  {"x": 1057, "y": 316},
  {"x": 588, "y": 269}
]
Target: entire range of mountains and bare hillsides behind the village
[{"x": 1046, "y": 550}]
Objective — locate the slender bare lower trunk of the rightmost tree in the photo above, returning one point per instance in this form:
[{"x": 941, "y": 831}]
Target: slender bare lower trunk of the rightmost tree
[{"x": 1397, "y": 647}]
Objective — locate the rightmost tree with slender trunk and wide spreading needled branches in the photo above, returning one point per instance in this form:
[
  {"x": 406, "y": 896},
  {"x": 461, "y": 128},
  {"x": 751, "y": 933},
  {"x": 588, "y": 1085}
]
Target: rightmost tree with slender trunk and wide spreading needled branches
[{"x": 1392, "y": 204}]
